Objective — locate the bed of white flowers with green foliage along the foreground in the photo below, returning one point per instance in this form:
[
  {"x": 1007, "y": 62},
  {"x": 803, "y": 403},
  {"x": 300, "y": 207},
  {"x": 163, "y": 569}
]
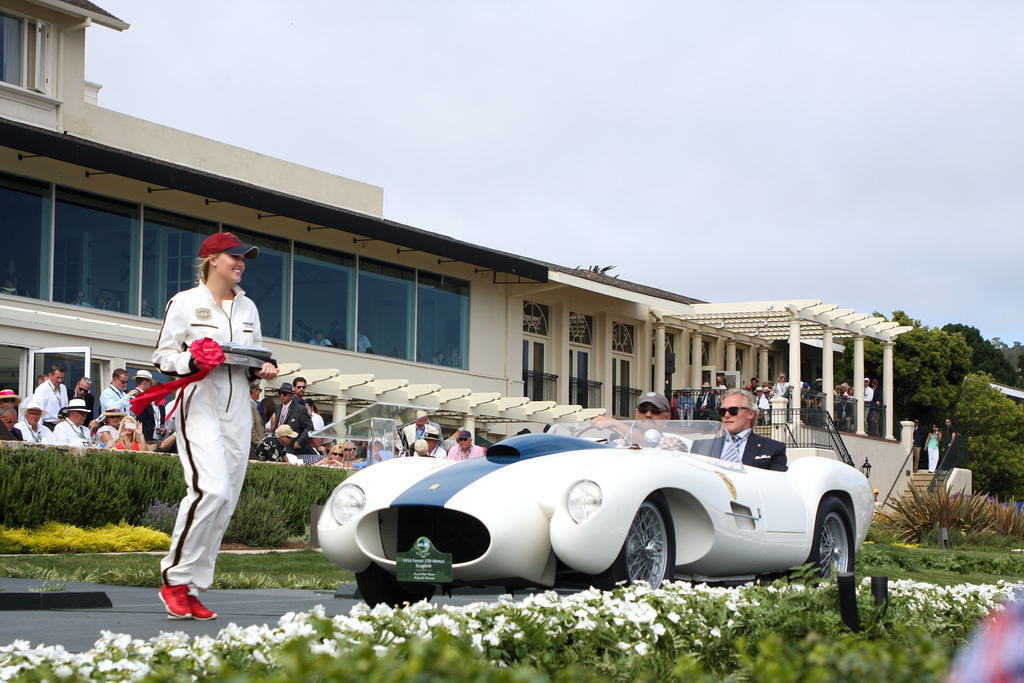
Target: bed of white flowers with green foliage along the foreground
[{"x": 778, "y": 632}]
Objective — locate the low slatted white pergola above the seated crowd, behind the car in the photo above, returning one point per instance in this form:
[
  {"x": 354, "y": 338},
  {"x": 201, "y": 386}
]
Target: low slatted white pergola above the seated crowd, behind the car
[{"x": 470, "y": 408}]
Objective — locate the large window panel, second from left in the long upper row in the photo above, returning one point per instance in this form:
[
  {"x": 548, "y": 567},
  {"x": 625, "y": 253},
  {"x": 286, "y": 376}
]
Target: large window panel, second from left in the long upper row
[{"x": 96, "y": 252}]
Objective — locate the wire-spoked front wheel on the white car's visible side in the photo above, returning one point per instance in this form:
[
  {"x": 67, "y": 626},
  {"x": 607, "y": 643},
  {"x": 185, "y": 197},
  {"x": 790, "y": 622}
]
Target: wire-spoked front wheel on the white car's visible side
[{"x": 650, "y": 550}]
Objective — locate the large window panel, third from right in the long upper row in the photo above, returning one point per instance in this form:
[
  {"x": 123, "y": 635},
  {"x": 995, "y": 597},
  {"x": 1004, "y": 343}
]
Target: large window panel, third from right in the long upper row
[{"x": 324, "y": 297}]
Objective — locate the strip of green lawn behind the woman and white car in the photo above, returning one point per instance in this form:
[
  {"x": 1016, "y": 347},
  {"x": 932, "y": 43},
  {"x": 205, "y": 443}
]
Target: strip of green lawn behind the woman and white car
[{"x": 310, "y": 570}]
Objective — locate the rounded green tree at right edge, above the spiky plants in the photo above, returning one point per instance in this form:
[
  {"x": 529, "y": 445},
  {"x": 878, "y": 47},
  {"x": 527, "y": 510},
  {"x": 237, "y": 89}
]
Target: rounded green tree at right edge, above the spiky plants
[{"x": 994, "y": 426}]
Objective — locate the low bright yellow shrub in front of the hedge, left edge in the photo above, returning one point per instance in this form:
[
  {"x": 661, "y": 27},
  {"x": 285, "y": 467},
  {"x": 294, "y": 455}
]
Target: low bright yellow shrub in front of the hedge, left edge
[{"x": 57, "y": 538}]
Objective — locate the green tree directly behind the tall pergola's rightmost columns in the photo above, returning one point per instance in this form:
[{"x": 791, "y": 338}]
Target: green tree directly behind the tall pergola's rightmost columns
[{"x": 929, "y": 366}]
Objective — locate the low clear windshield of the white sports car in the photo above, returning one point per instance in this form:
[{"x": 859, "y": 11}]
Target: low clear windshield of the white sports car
[{"x": 679, "y": 436}]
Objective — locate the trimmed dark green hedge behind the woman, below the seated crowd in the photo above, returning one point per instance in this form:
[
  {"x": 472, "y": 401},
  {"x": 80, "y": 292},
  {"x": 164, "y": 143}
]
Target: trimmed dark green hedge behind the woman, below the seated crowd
[{"x": 95, "y": 489}]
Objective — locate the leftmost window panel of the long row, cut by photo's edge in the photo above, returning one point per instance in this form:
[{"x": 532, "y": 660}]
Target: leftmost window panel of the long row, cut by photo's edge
[{"x": 25, "y": 230}]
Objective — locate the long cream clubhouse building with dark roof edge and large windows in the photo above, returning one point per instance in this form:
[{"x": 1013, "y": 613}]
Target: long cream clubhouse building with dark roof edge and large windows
[{"x": 102, "y": 216}]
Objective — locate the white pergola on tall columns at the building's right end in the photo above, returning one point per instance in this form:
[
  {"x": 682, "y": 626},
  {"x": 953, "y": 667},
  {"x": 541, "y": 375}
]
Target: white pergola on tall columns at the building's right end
[{"x": 761, "y": 323}]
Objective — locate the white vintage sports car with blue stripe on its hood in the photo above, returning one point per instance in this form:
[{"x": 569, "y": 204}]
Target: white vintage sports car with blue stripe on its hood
[{"x": 590, "y": 505}]
